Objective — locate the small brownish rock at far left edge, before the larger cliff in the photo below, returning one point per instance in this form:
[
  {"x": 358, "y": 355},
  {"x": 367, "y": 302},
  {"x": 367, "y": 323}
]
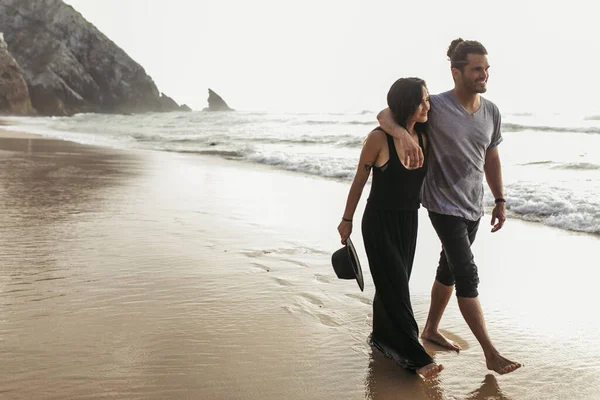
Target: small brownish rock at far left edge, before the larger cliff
[{"x": 14, "y": 95}]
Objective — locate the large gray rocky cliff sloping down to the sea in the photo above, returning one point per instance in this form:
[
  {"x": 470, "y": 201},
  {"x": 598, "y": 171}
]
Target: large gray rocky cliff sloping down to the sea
[{"x": 70, "y": 66}]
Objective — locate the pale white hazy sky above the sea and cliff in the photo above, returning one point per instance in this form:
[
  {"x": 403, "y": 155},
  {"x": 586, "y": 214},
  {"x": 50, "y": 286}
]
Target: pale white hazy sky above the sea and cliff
[{"x": 343, "y": 55}]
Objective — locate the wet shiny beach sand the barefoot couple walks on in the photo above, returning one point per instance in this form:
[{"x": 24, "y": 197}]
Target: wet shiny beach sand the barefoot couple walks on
[{"x": 145, "y": 275}]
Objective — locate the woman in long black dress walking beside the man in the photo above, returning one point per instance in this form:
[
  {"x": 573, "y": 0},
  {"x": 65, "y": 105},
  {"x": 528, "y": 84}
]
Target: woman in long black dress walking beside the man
[{"x": 389, "y": 226}]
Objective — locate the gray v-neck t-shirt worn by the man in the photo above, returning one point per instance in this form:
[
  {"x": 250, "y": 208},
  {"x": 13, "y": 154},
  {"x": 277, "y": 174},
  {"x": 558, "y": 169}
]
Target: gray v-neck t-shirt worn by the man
[{"x": 458, "y": 144}]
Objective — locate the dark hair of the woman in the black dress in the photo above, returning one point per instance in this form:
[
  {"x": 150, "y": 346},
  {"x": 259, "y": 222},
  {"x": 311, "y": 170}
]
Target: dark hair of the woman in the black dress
[{"x": 404, "y": 97}]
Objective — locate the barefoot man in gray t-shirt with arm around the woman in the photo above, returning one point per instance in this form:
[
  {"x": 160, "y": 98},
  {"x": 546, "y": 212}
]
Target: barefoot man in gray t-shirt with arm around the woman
[{"x": 464, "y": 132}]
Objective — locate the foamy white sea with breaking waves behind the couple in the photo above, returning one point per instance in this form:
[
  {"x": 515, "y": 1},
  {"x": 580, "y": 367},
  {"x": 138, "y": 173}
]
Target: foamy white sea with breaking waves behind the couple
[{"x": 552, "y": 163}]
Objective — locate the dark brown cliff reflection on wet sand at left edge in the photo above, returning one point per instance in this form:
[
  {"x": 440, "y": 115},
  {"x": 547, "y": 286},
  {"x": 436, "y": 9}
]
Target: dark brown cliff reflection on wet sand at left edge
[{"x": 38, "y": 179}]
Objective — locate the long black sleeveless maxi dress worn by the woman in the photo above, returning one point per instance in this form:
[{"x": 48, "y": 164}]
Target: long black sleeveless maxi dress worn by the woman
[{"x": 389, "y": 229}]
